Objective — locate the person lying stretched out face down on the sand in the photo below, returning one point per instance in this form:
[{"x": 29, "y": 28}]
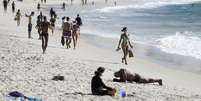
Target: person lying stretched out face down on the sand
[{"x": 123, "y": 75}]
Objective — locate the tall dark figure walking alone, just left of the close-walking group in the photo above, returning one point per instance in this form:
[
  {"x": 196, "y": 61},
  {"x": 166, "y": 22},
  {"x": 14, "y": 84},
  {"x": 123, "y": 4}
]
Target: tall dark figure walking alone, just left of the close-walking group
[{"x": 44, "y": 34}]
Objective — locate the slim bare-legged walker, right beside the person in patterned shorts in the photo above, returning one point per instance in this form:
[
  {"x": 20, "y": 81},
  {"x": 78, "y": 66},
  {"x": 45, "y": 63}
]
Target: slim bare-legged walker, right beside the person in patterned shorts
[{"x": 75, "y": 33}]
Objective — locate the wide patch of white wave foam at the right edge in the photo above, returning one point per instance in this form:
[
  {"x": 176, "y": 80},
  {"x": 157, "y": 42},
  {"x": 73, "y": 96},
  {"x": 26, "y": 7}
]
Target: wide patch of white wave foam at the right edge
[{"x": 185, "y": 44}]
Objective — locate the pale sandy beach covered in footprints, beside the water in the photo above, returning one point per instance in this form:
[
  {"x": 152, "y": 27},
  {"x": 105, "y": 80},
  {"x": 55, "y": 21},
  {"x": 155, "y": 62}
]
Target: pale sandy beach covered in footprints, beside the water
[{"x": 24, "y": 68}]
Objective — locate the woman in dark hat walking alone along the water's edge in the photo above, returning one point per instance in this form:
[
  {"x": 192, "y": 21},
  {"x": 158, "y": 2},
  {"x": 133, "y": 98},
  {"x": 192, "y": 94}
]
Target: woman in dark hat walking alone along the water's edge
[{"x": 124, "y": 41}]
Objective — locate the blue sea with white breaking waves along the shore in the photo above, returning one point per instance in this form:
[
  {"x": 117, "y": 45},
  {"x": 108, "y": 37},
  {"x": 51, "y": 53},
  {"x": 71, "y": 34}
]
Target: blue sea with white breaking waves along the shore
[{"x": 163, "y": 31}]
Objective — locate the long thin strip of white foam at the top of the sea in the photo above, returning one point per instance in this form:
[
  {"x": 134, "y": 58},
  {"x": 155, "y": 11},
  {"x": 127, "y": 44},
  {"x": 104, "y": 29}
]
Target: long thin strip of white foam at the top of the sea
[{"x": 146, "y": 5}]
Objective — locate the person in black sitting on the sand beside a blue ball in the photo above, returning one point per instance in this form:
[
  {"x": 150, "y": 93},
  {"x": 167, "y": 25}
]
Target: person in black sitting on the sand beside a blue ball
[{"x": 97, "y": 85}]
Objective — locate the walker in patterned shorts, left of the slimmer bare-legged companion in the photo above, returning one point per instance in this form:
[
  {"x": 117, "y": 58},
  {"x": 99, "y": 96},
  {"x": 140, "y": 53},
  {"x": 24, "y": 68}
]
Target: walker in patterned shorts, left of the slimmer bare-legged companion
[{"x": 67, "y": 27}]
